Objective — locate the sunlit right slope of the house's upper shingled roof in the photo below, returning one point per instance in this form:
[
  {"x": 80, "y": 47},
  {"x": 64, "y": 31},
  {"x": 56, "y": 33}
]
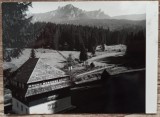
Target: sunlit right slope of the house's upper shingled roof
[{"x": 45, "y": 70}]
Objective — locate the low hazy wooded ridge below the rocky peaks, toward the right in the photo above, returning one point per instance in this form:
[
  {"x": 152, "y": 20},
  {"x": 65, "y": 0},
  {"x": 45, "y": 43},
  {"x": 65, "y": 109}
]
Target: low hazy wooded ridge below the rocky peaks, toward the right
[{"x": 112, "y": 24}]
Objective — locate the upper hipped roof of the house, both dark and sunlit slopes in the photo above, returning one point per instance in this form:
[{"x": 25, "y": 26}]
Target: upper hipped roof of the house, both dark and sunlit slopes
[{"x": 35, "y": 70}]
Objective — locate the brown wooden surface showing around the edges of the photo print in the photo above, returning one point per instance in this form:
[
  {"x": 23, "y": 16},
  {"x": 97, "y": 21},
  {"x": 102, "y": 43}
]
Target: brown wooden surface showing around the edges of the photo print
[{"x": 70, "y": 115}]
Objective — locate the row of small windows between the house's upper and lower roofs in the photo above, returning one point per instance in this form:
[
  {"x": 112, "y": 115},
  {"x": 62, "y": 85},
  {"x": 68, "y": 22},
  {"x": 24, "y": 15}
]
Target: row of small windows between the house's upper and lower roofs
[{"x": 49, "y": 82}]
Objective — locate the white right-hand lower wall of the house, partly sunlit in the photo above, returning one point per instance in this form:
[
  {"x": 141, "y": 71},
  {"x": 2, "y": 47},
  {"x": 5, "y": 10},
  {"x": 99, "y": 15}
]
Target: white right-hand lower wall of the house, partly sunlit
[{"x": 43, "y": 108}]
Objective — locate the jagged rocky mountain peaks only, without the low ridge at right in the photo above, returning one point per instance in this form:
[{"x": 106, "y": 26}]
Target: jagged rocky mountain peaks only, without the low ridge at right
[{"x": 68, "y": 12}]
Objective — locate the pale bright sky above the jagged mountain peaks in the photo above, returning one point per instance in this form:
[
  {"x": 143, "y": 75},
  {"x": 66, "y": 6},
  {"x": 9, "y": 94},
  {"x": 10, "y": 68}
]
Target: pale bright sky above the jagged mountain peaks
[{"x": 112, "y": 8}]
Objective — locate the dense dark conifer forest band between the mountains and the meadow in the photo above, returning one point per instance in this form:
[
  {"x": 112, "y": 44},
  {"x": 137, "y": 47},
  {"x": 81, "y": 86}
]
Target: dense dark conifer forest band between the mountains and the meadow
[{"x": 71, "y": 37}]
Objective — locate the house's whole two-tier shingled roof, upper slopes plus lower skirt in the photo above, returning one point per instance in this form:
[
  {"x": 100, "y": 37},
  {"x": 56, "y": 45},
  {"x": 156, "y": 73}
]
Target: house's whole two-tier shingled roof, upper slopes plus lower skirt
[{"x": 35, "y": 70}]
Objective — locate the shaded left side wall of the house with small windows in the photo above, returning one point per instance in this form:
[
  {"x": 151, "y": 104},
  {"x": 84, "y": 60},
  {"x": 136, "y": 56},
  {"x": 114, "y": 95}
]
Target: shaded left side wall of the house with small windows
[{"x": 18, "y": 109}]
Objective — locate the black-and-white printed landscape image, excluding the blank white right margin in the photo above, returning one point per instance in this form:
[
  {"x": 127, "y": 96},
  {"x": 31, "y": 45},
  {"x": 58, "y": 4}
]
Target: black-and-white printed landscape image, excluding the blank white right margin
[{"x": 74, "y": 57}]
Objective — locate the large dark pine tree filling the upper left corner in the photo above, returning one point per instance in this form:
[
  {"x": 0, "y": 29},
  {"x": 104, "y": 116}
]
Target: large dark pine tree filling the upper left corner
[{"x": 14, "y": 23}]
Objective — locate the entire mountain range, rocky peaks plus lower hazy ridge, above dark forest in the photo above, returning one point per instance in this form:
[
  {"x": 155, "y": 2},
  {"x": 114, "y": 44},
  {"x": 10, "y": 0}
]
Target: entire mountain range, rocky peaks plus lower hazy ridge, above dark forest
[{"x": 72, "y": 15}]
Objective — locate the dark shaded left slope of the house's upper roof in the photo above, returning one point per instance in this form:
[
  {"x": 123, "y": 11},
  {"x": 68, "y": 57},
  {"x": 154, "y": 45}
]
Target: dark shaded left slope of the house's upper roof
[{"x": 25, "y": 71}]
